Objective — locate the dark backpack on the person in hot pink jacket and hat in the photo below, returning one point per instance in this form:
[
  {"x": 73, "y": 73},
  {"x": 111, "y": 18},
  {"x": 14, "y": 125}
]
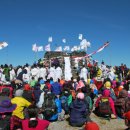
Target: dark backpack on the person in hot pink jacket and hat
[{"x": 104, "y": 106}]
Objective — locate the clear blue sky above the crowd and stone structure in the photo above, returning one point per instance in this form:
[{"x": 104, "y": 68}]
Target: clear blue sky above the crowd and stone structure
[{"x": 25, "y": 22}]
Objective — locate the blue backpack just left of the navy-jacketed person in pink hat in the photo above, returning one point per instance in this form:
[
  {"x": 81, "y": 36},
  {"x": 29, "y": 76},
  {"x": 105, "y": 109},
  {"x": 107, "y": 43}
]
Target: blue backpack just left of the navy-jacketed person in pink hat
[{"x": 64, "y": 103}]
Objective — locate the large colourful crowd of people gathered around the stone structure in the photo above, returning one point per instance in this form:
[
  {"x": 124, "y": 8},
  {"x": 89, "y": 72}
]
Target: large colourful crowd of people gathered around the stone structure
[{"x": 31, "y": 97}]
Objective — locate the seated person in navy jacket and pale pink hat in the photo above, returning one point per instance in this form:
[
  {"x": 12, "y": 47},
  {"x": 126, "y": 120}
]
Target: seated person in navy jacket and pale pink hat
[{"x": 78, "y": 111}]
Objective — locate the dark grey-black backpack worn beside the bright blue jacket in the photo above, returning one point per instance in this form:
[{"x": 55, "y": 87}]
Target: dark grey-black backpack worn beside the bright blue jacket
[{"x": 49, "y": 106}]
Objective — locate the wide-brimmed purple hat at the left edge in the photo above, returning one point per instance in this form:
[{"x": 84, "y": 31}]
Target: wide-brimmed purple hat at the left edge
[{"x": 7, "y": 106}]
